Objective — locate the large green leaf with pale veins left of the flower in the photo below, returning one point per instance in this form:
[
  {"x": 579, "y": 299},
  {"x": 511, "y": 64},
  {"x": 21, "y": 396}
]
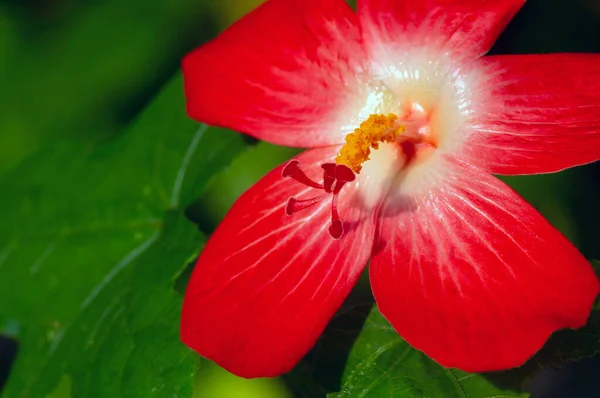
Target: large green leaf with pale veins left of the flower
[{"x": 98, "y": 233}]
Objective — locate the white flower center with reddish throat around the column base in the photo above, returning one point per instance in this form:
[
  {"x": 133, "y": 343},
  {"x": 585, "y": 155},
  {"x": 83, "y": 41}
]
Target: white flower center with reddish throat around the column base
[{"x": 434, "y": 102}]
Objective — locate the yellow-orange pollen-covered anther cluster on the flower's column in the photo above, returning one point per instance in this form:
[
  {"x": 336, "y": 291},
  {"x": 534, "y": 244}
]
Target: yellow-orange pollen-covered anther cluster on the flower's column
[{"x": 374, "y": 130}]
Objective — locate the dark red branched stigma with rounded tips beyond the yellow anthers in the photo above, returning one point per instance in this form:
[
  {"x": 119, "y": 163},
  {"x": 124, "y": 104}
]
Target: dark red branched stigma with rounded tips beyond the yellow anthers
[{"x": 335, "y": 176}]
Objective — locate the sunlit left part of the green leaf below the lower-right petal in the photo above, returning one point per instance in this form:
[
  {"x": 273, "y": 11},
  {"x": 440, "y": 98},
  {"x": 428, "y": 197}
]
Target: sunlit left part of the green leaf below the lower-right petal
[{"x": 382, "y": 364}]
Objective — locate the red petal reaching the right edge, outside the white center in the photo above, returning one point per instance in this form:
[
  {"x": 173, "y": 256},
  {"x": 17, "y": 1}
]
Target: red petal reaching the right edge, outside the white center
[{"x": 543, "y": 114}]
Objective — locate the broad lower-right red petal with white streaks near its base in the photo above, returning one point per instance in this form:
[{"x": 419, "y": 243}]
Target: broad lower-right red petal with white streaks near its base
[{"x": 475, "y": 277}]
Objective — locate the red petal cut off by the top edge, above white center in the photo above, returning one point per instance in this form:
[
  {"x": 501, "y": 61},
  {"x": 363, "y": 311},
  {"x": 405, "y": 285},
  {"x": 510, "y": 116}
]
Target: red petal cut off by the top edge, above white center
[{"x": 466, "y": 29}]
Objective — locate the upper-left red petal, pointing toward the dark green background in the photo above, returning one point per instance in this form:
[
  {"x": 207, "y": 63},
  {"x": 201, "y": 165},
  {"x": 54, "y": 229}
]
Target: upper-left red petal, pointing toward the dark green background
[{"x": 283, "y": 73}]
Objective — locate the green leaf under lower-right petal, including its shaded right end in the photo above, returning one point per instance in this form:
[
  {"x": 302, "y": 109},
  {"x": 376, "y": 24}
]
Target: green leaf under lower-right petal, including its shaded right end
[{"x": 382, "y": 364}]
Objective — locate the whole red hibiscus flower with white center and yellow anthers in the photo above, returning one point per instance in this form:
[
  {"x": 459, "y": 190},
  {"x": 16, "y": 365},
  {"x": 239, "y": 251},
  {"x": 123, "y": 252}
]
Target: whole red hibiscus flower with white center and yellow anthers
[{"x": 408, "y": 122}]
